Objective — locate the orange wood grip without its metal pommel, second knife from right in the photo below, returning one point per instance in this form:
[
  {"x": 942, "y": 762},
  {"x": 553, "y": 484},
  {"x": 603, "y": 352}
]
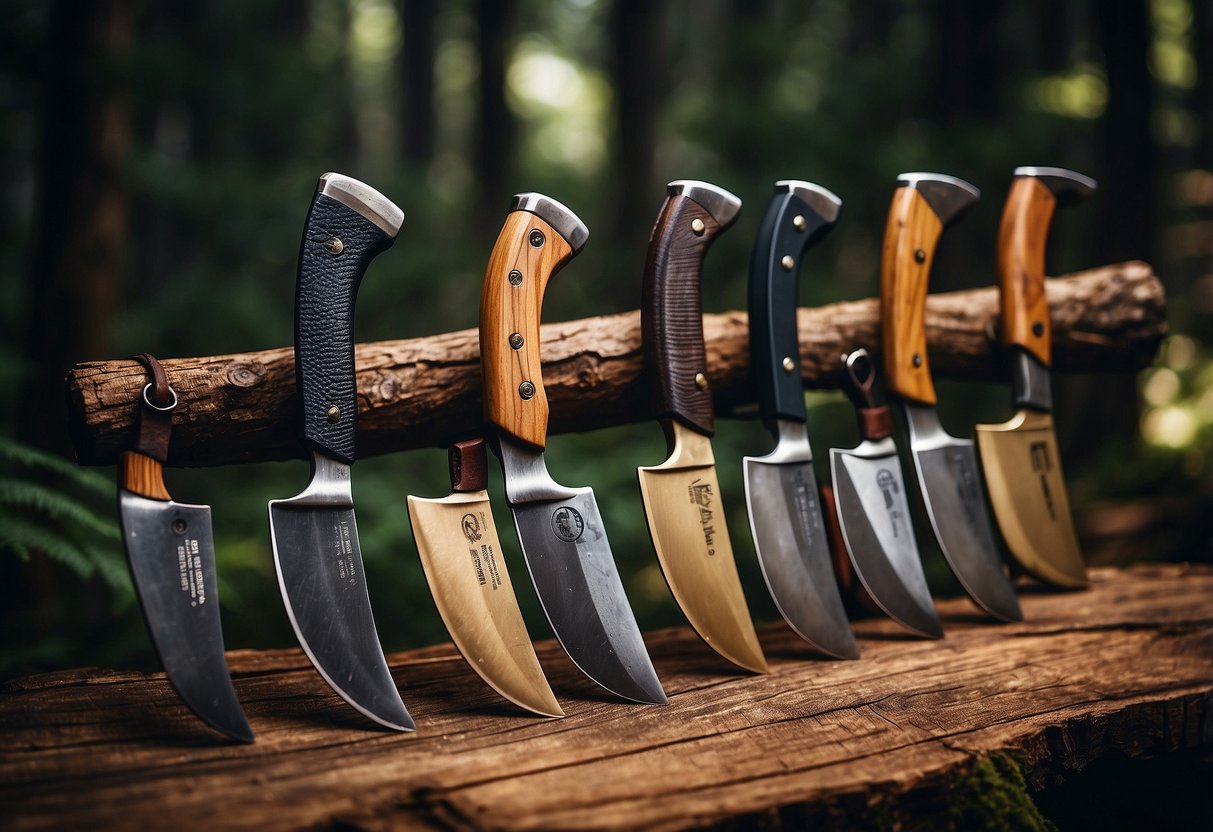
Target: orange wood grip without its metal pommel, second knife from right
[{"x": 910, "y": 240}]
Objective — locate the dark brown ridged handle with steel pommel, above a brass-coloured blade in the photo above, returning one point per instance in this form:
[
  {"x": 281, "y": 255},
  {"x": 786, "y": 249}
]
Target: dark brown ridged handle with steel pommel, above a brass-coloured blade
[{"x": 671, "y": 316}]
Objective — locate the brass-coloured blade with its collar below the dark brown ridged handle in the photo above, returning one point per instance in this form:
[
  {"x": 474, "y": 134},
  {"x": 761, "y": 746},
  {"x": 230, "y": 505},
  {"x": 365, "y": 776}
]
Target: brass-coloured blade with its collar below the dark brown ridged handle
[{"x": 682, "y": 502}]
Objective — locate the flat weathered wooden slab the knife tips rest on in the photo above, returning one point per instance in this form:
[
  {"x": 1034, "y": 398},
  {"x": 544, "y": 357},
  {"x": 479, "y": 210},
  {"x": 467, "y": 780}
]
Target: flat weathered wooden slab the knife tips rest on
[{"x": 1119, "y": 670}]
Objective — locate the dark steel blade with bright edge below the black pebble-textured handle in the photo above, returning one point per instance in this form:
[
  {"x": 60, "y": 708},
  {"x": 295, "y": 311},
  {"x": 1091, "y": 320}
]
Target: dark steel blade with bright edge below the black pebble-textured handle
[{"x": 324, "y": 588}]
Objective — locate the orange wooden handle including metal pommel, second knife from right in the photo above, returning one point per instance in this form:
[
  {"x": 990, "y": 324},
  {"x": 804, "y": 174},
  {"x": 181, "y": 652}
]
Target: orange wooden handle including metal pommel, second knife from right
[{"x": 924, "y": 206}]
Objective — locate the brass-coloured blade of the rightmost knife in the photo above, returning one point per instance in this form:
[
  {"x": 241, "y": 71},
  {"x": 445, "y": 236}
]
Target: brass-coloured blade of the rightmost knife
[{"x": 1023, "y": 474}]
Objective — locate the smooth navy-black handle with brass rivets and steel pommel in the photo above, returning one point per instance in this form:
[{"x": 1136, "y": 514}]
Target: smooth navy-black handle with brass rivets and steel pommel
[{"x": 798, "y": 216}]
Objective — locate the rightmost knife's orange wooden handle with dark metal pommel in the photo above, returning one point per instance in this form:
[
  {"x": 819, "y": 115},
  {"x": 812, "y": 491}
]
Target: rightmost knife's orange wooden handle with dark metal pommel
[{"x": 1023, "y": 235}]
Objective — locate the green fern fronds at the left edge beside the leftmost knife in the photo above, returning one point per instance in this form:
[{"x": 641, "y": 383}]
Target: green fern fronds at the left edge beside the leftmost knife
[{"x": 55, "y": 509}]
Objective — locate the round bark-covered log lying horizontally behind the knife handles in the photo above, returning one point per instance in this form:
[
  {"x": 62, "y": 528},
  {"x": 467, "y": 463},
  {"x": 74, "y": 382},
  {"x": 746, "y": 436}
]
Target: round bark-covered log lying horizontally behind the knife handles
[{"x": 426, "y": 392}]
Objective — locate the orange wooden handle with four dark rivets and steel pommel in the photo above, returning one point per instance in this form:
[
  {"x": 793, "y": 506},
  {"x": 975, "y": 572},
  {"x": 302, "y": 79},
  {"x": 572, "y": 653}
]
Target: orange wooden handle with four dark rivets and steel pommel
[{"x": 539, "y": 237}]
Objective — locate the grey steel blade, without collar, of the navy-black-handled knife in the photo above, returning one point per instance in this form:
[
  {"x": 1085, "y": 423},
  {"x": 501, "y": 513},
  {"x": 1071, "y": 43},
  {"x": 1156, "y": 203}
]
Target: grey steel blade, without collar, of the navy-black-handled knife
[{"x": 790, "y": 538}]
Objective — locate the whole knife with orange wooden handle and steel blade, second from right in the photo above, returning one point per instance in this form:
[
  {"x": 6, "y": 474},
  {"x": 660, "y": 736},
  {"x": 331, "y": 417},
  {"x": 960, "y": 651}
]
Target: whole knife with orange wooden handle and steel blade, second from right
[{"x": 924, "y": 206}]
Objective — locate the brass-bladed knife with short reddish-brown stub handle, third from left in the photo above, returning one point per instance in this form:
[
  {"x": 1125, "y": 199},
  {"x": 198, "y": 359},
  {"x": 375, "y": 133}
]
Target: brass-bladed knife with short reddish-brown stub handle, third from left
[{"x": 462, "y": 557}]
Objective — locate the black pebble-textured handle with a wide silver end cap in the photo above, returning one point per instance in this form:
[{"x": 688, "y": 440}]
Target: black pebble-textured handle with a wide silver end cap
[{"x": 348, "y": 226}]
